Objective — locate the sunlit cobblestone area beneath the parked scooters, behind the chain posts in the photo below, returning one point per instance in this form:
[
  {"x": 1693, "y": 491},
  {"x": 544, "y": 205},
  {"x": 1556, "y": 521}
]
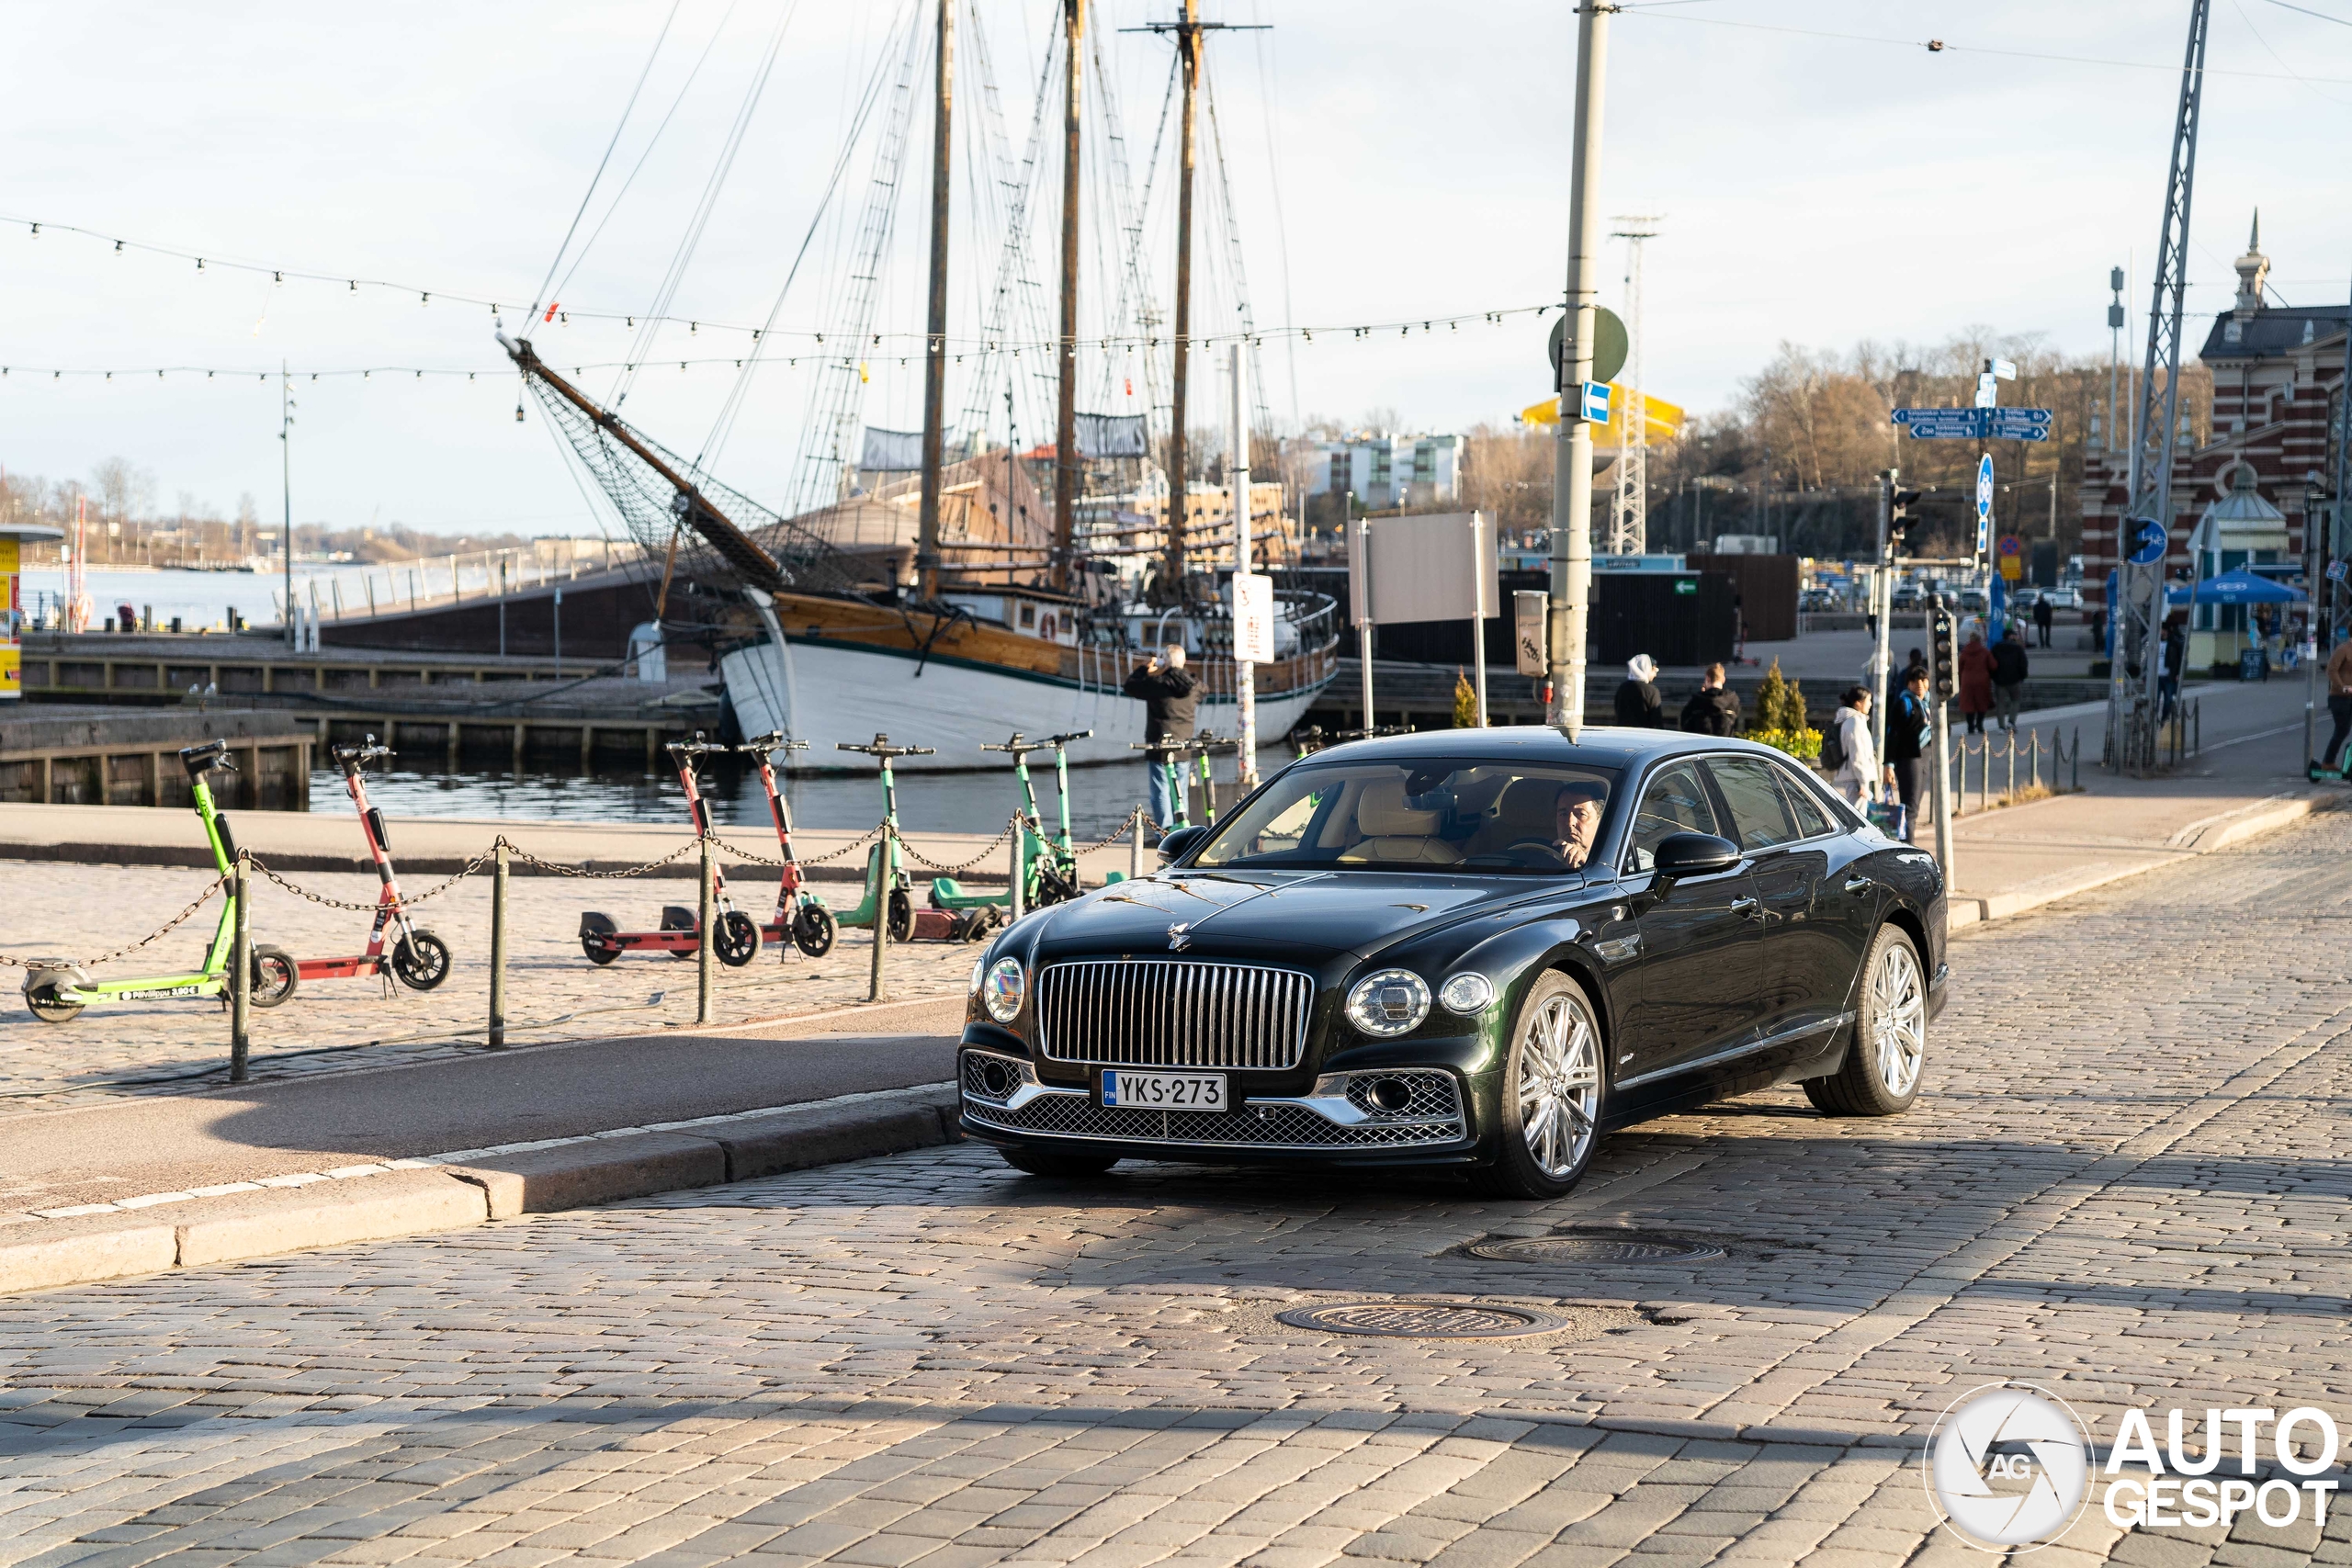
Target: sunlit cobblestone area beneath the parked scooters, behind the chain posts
[{"x": 552, "y": 989}]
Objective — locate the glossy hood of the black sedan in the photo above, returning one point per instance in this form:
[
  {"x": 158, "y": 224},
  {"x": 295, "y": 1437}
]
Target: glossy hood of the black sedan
[{"x": 1274, "y": 911}]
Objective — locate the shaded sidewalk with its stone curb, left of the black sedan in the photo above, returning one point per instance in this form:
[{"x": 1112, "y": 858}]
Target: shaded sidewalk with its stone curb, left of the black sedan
[{"x": 135, "y": 1188}]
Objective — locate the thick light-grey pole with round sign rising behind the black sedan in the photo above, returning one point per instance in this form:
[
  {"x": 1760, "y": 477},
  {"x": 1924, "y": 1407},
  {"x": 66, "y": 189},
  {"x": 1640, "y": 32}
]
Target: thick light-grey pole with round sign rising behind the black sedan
[{"x": 1572, "y": 474}]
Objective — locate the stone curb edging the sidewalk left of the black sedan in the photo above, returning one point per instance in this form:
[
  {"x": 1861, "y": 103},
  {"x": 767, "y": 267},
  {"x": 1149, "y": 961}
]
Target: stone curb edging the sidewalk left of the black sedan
[{"x": 455, "y": 1198}]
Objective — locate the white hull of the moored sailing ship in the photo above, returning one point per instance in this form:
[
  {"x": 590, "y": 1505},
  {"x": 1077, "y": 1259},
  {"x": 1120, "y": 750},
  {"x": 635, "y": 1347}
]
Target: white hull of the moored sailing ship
[{"x": 824, "y": 692}]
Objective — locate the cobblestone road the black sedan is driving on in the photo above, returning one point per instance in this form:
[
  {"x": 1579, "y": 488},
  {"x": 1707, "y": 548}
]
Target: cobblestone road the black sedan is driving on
[{"x": 2125, "y": 1184}]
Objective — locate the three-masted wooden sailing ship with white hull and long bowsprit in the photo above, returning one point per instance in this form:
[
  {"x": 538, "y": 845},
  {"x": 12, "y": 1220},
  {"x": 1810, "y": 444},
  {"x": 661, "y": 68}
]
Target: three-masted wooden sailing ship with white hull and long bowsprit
[{"x": 1017, "y": 608}]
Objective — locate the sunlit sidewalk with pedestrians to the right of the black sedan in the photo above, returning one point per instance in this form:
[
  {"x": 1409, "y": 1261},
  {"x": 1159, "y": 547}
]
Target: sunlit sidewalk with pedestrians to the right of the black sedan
[{"x": 2245, "y": 782}]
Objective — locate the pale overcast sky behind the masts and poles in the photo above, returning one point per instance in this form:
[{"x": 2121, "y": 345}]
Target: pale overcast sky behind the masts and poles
[{"x": 1822, "y": 173}]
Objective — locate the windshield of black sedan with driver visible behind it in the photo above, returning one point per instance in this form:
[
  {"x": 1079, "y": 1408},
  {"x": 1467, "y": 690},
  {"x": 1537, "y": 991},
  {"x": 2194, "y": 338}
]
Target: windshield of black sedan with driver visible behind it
[{"x": 1417, "y": 815}]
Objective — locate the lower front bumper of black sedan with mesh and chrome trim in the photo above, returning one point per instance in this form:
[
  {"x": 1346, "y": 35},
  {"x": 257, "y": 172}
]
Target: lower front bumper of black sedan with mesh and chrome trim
[{"x": 1005, "y": 1104}]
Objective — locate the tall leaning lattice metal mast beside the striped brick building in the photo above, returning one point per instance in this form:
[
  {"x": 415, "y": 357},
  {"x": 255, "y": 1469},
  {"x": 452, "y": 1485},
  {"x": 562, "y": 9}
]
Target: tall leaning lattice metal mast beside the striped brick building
[{"x": 2137, "y": 619}]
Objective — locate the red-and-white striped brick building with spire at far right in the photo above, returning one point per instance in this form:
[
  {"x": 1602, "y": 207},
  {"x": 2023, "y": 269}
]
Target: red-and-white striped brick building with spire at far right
[{"x": 2278, "y": 391}]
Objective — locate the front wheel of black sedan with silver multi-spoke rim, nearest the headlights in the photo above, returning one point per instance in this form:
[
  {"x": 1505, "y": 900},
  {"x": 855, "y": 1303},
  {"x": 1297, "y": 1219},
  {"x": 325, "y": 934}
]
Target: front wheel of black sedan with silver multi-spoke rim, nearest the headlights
[{"x": 1556, "y": 1085}]
